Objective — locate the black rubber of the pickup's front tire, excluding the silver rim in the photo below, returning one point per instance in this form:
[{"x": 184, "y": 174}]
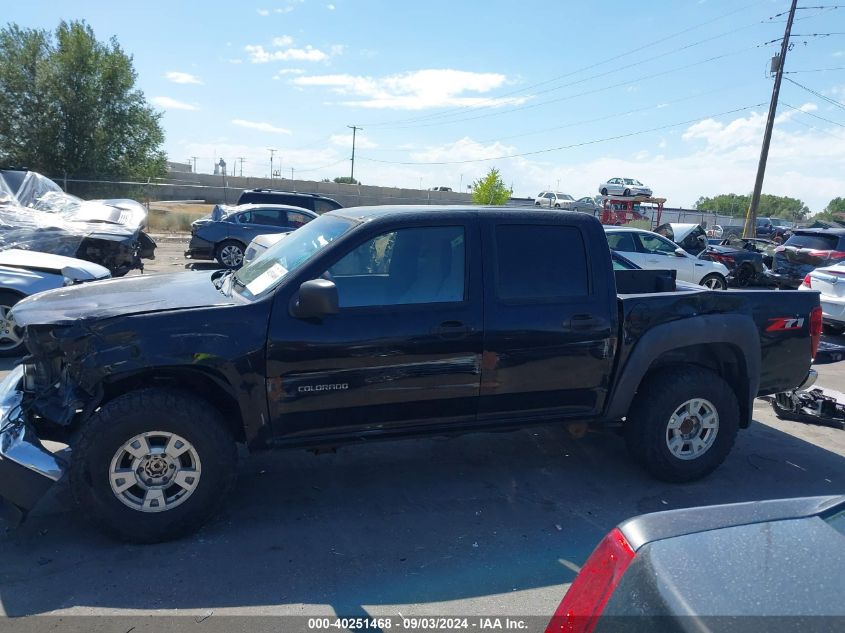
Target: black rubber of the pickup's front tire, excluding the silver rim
[{"x": 142, "y": 411}]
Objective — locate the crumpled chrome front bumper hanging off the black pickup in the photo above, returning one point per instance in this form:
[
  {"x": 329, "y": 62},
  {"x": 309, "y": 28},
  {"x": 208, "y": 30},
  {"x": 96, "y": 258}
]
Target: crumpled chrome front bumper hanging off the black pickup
[{"x": 27, "y": 469}]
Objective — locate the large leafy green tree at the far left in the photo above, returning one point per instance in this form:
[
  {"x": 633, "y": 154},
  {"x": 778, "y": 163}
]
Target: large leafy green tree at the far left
[{"x": 69, "y": 105}]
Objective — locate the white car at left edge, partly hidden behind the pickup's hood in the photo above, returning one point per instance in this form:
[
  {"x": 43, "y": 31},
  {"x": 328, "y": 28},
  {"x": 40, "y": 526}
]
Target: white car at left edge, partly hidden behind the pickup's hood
[{"x": 24, "y": 273}]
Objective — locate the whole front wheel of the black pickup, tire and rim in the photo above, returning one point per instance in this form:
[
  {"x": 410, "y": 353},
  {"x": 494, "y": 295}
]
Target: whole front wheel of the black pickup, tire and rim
[{"x": 152, "y": 465}]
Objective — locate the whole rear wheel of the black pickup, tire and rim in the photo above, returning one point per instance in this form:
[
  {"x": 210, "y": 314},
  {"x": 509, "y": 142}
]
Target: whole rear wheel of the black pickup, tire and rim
[{"x": 682, "y": 423}]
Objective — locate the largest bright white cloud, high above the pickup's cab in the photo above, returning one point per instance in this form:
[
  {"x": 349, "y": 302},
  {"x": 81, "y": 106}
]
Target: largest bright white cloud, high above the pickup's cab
[{"x": 415, "y": 90}]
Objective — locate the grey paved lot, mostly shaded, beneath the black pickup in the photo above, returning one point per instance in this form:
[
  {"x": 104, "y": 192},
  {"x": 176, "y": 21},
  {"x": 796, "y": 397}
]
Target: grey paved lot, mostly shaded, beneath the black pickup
[{"x": 482, "y": 524}]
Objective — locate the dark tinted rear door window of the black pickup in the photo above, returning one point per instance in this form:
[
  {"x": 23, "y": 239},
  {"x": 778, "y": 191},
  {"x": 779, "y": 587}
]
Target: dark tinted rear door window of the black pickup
[{"x": 540, "y": 262}]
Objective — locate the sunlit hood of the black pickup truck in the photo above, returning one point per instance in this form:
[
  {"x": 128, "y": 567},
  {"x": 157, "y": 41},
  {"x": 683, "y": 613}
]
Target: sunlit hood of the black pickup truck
[{"x": 121, "y": 297}]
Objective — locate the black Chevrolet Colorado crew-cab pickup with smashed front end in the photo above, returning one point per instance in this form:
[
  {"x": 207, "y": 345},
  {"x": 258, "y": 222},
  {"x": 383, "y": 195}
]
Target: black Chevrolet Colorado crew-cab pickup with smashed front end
[{"x": 380, "y": 322}]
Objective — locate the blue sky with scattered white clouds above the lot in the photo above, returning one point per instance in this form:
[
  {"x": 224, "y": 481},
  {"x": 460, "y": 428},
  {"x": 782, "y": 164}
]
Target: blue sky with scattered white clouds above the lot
[{"x": 440, "y": 87}]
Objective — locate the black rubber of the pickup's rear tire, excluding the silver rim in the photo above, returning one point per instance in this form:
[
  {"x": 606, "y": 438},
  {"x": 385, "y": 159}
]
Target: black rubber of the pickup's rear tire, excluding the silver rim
[{"x": 659, "y": 396}]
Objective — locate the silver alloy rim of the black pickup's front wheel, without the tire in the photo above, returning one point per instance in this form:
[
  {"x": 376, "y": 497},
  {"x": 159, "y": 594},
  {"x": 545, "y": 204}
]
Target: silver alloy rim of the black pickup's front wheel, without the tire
[{"x": 155, "y": 471}]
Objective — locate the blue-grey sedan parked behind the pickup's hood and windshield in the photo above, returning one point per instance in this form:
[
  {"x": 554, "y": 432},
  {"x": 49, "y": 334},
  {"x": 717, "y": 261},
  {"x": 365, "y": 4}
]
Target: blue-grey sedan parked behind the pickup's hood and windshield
[{"x": 225, "y": 233}]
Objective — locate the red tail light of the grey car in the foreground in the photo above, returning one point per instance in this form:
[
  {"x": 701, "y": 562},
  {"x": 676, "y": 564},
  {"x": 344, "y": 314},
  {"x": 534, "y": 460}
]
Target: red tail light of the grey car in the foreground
[{"x": 584, "y": 602}]
